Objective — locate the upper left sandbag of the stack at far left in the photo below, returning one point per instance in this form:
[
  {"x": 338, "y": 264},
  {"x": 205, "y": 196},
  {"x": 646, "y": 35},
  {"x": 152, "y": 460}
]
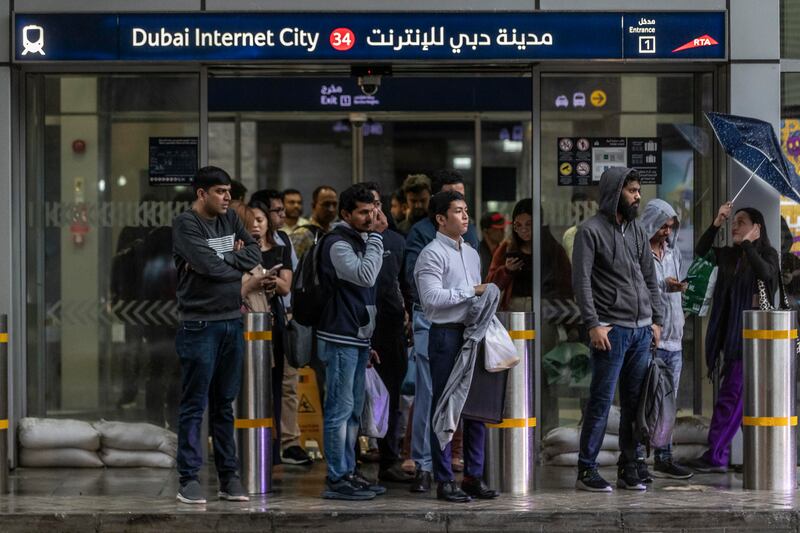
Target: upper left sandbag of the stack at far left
[{"x": 51, "y": 433}]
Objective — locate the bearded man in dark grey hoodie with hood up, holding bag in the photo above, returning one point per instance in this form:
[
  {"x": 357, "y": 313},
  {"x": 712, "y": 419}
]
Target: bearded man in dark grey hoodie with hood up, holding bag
[{"x": 617, "y": 292}]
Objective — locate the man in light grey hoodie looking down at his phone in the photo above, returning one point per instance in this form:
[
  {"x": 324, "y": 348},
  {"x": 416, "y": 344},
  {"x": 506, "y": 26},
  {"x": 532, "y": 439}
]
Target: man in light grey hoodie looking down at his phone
[{"x": 661, "y": 225}]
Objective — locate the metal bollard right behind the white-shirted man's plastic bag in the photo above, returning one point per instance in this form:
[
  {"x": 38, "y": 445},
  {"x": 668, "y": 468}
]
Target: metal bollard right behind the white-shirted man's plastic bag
[{"x": 510, "y": 445}]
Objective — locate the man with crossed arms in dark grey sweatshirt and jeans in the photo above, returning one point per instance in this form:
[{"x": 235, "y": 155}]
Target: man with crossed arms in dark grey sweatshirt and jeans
[{"x": 212, "y": 250}]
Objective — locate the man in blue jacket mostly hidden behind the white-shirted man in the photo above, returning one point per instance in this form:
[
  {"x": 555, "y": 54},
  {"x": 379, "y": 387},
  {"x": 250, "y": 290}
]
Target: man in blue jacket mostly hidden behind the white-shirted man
[{"x": 422, "y": 233}]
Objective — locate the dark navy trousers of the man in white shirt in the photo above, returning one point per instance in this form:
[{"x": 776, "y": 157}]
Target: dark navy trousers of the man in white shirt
[{"x": 445, "y": 347}]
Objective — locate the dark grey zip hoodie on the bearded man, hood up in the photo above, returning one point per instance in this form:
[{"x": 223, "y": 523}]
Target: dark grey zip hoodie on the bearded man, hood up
[{"x": 613, "y": 274}]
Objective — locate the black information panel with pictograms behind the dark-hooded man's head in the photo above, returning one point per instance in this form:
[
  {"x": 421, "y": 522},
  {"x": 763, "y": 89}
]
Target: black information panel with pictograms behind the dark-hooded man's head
[{"x": 582, "y": 160}]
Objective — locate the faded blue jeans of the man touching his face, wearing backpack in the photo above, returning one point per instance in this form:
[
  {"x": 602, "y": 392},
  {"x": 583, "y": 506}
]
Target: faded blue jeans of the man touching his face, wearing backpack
[{"x": 345, "y": 375}]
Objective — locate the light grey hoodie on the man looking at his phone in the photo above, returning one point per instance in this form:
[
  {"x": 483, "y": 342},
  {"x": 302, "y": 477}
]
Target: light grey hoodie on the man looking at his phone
[{"x": 656, "y": 213}]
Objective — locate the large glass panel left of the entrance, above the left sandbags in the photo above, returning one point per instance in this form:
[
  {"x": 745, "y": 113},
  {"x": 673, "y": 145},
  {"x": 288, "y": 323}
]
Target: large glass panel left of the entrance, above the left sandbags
[{"x": 101, "y": 307}]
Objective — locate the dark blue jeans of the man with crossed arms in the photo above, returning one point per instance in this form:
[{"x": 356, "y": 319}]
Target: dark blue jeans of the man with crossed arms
[{"x": 211, "y": 369}]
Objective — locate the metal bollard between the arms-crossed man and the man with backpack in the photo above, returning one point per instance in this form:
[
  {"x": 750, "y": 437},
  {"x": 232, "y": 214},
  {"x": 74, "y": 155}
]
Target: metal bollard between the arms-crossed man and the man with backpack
[{"x": 254, "y": 422}]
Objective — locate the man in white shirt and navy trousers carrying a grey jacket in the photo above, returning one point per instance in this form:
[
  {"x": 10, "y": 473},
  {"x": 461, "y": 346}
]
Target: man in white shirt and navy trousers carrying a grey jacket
[{"x": 448, "y": 278}]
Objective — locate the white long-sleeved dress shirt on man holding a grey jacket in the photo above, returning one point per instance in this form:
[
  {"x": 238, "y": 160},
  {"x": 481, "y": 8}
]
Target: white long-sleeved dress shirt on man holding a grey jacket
[{"x": 446, "y": 273}]
